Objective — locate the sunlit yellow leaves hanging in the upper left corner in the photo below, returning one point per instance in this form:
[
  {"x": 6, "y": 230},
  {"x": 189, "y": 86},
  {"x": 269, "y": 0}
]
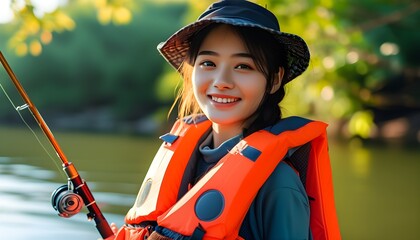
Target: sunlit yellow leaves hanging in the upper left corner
[{"x": 35, "y": 28}]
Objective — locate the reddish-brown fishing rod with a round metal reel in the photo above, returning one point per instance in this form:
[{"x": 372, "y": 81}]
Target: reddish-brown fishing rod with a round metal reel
[{"x": 68, "y": 199}]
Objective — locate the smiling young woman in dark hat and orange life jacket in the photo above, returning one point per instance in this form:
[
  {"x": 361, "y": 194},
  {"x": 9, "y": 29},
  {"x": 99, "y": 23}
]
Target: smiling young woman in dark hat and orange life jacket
[{"x": 227, "y": 168}]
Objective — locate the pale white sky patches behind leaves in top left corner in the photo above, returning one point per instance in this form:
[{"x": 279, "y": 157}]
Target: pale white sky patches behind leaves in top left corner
[{"x": 41, "y": 7}]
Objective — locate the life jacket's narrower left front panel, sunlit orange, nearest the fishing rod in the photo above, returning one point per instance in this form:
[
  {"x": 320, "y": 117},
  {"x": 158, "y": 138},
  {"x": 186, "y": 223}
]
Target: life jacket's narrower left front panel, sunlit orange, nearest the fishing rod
[{"x": 166, "y": 172}]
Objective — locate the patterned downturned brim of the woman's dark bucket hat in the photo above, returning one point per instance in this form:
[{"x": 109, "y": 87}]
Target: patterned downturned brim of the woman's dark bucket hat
[{"x": 175, "y": 49}]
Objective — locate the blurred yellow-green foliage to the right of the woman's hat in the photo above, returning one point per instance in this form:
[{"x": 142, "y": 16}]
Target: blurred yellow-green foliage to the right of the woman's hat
[{"x": 359, "y": 49}]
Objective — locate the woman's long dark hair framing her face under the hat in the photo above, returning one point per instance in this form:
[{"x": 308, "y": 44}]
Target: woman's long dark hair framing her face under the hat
[{"x": 269, "y": 57}]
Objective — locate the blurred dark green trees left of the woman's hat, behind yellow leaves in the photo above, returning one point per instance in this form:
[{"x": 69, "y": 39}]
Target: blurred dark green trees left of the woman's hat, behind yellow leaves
[{"x": 98, "y": 66}]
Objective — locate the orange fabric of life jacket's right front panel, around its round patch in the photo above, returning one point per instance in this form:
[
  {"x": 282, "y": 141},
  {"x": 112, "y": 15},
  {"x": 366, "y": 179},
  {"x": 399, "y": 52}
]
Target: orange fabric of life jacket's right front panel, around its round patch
[{"x": 238, "y": 187}]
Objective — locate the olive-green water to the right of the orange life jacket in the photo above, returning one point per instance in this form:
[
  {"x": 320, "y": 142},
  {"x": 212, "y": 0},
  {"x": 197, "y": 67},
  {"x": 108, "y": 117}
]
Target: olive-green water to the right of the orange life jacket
[{"x": 377, "y": 191}]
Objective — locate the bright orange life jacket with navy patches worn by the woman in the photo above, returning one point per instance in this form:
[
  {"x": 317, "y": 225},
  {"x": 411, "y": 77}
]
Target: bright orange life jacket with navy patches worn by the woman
[{"x": 219, "y": 201}]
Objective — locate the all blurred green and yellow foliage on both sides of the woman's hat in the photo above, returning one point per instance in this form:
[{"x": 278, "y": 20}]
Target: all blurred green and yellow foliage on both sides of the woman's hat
[{"x": 364, "y": 68}]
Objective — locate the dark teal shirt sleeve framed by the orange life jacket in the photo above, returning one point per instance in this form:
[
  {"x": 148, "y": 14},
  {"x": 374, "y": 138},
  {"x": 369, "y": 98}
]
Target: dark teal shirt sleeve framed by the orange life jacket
[{"x": 281, "y": 202}]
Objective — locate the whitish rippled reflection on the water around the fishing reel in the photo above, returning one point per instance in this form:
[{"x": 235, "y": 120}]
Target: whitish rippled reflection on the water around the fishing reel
[{"x": 26, "y": 211}]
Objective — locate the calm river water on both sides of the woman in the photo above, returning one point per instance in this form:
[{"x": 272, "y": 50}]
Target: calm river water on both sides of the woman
[{"x": 377, "y": 188}]
